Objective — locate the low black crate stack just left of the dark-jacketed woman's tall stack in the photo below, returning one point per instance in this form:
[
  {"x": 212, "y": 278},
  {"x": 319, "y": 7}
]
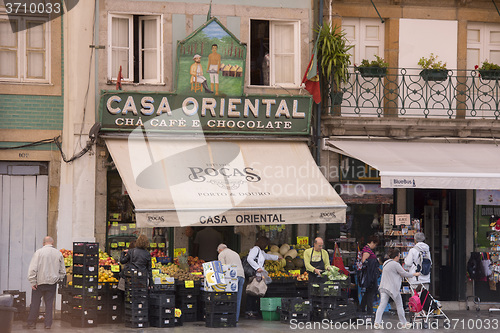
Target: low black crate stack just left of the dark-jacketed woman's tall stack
[{"x": 109, "y": 303}]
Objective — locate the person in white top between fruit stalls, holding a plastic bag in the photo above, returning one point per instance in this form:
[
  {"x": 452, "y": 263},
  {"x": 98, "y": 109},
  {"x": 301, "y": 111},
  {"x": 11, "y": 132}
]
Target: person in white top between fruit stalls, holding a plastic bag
[{"x": 256, "y": 257}]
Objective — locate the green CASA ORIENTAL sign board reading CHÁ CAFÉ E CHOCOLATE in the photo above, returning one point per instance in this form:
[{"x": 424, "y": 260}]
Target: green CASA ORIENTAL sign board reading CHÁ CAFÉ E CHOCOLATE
[{"x": 173, "y": 113}]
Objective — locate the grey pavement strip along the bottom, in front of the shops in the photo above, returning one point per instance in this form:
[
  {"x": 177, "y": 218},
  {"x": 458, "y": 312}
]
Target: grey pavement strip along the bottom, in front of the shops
[{"x": 473, "y": 321}]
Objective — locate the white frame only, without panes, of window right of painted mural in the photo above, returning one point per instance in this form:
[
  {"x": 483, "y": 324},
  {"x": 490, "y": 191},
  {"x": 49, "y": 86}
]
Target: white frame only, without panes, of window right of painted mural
[{"x": 272, "y": 56}]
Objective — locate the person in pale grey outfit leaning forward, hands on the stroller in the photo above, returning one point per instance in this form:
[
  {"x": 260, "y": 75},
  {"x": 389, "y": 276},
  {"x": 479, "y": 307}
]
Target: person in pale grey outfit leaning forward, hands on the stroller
[{"x": 390, "y": 285}]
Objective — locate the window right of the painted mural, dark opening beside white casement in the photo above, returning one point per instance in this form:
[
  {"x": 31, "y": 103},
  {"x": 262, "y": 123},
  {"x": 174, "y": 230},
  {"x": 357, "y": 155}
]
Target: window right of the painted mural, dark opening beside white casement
[{"x": 274, "y": 53}]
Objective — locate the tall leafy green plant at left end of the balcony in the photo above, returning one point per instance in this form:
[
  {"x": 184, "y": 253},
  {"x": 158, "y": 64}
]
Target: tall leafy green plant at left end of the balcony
[{"x": 334, "y": 57}]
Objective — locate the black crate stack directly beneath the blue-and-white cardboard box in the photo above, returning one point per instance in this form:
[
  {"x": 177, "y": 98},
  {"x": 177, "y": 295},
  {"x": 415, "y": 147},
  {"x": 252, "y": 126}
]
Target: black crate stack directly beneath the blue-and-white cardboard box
[{"x": 220, "y": 309}]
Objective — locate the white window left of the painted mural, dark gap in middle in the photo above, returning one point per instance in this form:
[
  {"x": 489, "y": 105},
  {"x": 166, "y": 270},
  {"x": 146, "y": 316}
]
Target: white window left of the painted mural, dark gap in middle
[{"x": 134, "y": 43}]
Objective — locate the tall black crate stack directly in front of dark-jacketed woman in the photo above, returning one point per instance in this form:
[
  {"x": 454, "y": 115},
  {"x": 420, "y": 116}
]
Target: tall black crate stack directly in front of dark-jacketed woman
[{"x": 136, "y": 299}]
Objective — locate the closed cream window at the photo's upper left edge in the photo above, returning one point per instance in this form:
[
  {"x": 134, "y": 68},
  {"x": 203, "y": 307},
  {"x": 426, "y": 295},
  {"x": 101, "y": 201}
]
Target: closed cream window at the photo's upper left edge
[{"x": 24, "y": 55}]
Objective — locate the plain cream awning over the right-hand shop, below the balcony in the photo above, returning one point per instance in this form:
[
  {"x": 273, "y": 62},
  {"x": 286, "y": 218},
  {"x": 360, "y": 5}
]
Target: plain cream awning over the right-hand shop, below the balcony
[{"x": 428, "y": 165}]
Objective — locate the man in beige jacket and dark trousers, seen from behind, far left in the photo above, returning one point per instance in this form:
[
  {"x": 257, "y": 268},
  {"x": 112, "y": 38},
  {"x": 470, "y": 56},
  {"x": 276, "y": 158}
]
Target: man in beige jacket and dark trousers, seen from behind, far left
[{"x": 45, "y": 270}]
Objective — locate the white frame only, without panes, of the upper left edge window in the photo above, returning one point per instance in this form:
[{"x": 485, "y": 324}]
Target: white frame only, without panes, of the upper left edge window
[{"x": 22, "y": 58}]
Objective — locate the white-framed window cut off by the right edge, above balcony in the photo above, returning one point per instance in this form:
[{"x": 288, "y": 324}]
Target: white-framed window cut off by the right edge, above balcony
[{"x": 483, "y": 43}]
